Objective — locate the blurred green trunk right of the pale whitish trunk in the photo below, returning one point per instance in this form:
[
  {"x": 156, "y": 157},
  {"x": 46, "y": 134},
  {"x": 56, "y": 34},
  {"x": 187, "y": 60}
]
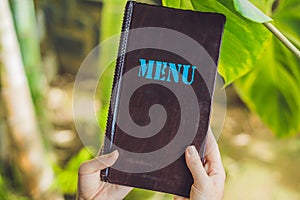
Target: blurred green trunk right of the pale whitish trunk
[{"x": 23, "y": 13}]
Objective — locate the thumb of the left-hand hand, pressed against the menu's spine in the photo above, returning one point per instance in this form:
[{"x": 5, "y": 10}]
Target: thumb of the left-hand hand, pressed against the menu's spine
[{"x": 98, "y": 163}]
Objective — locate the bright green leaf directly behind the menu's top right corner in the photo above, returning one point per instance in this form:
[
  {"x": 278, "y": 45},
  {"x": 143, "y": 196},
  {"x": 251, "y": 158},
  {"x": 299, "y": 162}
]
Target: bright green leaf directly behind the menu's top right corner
[{"x": 243, "y": 42}]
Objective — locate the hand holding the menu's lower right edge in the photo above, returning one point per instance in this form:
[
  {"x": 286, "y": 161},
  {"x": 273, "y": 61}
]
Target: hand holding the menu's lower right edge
[{"x": 208, "y": 179}]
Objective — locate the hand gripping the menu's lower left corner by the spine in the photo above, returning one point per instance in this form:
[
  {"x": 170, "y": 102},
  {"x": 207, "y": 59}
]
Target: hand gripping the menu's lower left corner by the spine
[{"x": 90, "y": 185}]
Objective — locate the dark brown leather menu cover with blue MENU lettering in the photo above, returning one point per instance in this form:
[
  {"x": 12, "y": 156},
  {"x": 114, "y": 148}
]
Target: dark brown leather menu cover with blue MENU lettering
[{"x": 161, "y": 97}]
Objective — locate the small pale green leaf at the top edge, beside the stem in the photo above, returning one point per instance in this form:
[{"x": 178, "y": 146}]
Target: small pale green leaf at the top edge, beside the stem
[{"x": 248, "y": 10}]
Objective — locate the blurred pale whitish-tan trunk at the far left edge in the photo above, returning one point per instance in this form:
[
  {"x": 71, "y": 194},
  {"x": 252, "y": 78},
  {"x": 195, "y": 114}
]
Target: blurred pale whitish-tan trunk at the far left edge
[{"x": 31, "y": 155}]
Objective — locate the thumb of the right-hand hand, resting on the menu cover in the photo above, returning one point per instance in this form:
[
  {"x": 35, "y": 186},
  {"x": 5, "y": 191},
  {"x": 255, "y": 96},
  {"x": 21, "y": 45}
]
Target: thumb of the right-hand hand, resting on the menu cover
[{"x": 195, "y": 165}]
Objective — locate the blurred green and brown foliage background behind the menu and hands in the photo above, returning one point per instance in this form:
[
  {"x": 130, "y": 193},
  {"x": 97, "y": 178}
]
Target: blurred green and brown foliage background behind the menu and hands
[{"x": 43, "y": 43}]
